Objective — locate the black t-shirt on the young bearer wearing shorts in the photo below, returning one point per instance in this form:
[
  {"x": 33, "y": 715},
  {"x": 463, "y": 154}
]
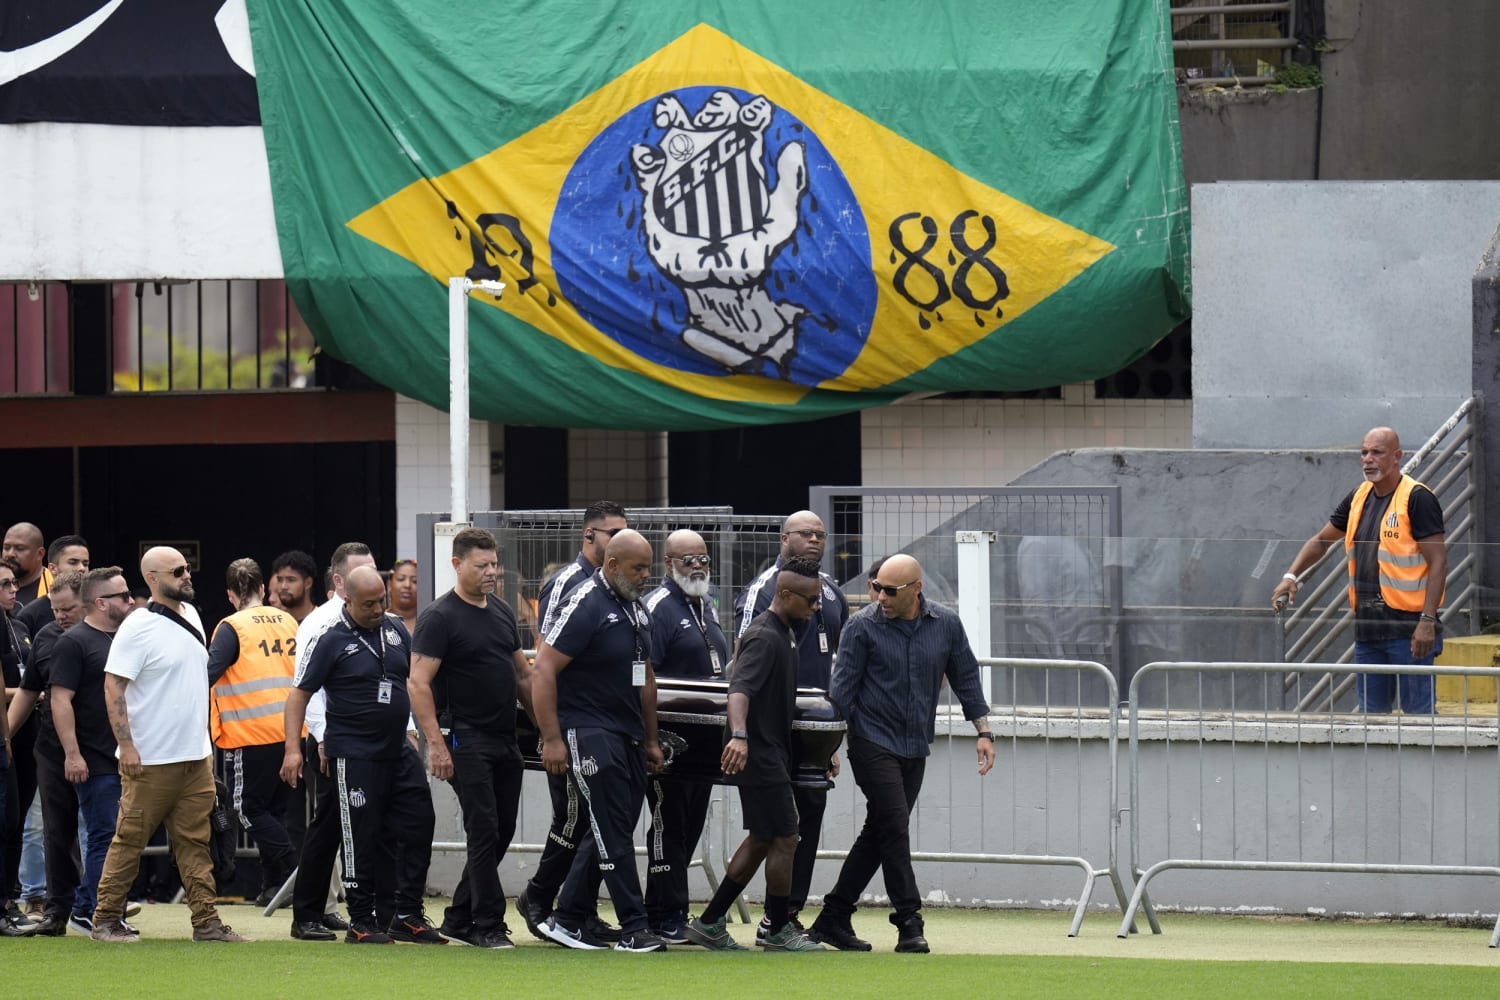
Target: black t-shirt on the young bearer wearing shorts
[{"x": 766, "y": 672}]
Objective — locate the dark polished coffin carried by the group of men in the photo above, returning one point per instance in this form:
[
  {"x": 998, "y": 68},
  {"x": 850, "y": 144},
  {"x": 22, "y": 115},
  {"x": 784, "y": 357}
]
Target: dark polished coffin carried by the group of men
[{"x": 691, "y": 722}]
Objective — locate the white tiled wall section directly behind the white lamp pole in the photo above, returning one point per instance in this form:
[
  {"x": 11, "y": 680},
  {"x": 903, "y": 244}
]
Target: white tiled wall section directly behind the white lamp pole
[{"x": 422, "y": 469}]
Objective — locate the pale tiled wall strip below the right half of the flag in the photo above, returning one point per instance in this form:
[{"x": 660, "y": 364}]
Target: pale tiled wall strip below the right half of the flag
[{"x": 992, "y": 442}]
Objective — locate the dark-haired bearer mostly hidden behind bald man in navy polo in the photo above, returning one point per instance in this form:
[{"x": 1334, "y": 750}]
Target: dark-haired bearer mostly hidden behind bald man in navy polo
[{"x": 602, "y": 522}]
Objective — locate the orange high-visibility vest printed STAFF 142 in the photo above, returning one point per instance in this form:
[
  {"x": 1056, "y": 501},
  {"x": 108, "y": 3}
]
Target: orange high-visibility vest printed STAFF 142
[{"x": 248, "y": 704}]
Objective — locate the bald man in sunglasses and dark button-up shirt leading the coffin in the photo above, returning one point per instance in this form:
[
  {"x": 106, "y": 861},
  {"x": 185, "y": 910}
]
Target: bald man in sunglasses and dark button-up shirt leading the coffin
[{"x": 890, "y": 672}]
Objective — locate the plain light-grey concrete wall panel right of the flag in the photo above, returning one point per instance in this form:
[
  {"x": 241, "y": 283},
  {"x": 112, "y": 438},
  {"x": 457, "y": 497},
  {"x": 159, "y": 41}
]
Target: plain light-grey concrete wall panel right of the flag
[{"x": 1325, "y": 310}]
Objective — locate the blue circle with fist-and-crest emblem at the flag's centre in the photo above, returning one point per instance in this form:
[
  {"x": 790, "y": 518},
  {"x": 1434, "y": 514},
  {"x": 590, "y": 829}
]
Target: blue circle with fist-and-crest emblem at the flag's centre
[{"x": 715, "y": 211}]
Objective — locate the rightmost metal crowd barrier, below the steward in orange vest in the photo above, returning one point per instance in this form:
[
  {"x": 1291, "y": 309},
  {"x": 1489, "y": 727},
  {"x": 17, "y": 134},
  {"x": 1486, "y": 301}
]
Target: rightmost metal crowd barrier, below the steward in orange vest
[{"x": 1340, "y": 785}]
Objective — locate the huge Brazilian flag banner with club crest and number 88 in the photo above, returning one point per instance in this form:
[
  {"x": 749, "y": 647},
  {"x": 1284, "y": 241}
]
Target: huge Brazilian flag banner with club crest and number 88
[{"x": 713, "y": 212}]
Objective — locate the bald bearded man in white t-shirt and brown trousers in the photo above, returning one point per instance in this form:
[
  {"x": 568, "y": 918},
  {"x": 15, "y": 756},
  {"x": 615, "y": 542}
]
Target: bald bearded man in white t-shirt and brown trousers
[{"x": 157, "y": 695}]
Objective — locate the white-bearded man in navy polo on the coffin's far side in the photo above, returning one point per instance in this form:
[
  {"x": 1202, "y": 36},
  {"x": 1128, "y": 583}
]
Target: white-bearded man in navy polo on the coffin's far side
[{"x": 686, "y": 644}]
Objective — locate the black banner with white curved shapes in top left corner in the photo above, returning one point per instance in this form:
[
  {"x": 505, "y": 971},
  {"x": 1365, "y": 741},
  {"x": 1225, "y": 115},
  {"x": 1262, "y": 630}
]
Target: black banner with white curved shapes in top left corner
[{"x": 127, "y": 62}]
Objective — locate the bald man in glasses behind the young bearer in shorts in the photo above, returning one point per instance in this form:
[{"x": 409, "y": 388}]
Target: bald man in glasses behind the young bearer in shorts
[{"x": 803, "y": 537}]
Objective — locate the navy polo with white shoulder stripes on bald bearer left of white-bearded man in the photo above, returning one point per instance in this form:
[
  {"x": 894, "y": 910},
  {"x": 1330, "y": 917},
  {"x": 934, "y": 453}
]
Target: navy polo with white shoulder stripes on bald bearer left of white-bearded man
[{"x": 604, "y": 635}]
